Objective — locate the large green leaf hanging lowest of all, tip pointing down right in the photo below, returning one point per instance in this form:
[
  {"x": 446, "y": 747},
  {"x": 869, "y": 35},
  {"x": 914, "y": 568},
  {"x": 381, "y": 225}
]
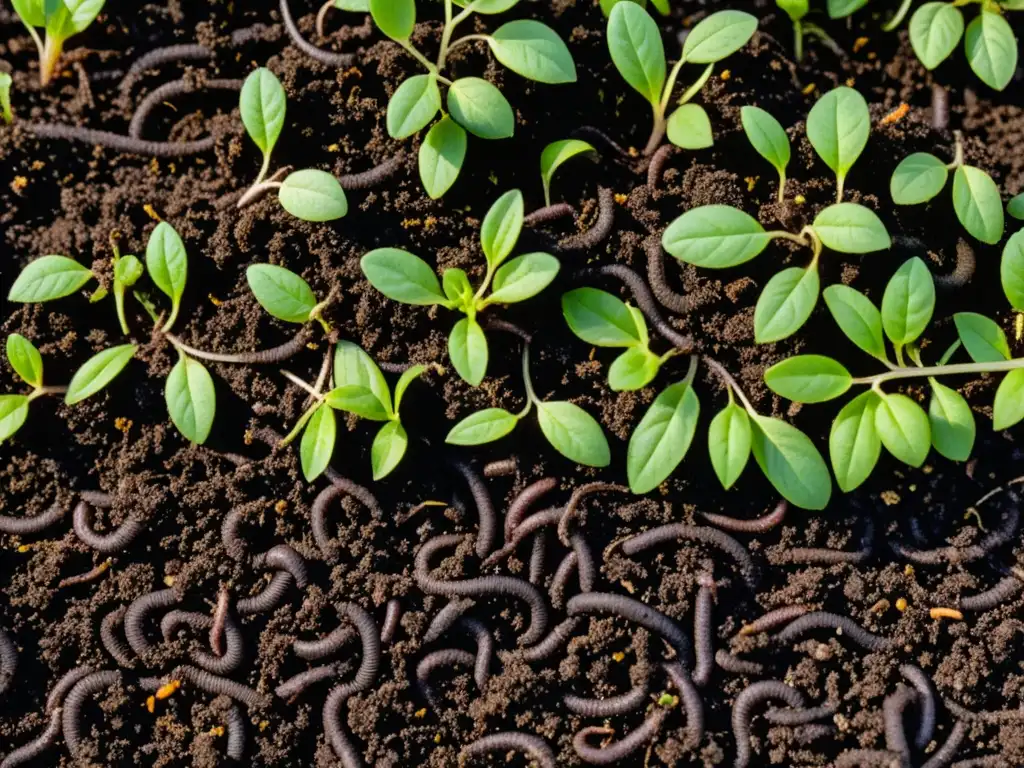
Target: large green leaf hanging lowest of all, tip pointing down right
[{"x": 791, "y": 463}]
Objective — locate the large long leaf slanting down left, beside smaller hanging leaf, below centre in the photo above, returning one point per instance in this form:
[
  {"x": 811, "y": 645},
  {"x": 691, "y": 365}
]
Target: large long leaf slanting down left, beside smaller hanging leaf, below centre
[{"x": 662, "y": 439}]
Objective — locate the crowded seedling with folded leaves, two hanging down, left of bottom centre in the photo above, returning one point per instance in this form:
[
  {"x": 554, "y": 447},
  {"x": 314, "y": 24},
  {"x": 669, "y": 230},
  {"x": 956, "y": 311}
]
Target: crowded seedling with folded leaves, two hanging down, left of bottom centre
[{"x": 360, "y": 389}]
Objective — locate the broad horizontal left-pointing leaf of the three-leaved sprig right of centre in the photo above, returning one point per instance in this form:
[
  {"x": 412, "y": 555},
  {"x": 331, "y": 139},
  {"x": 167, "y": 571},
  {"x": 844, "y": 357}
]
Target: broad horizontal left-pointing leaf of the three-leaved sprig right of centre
[{"x": 715, "y": 237}]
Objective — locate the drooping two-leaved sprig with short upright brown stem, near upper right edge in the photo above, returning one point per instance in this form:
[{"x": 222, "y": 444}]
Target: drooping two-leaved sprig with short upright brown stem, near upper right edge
[{"x": 921, "y": 177}]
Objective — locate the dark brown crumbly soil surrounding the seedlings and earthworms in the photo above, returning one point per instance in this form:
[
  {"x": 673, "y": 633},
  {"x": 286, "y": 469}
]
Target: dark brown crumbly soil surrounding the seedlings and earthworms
[{"x": 68, "y": 198}]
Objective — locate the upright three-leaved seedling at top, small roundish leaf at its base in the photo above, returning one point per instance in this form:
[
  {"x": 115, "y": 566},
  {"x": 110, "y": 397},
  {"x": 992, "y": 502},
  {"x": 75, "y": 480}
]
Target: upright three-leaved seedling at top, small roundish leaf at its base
[{"x": 637, "y": 52}]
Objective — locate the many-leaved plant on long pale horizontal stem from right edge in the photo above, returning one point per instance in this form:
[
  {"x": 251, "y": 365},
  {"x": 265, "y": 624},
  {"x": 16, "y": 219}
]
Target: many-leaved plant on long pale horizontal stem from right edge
[{"x": 876, "y": 418}]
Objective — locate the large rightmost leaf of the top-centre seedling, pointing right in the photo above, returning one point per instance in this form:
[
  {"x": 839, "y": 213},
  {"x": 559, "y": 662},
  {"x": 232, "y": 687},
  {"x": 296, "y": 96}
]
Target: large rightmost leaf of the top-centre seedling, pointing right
[{"x": 534, "y": 51}]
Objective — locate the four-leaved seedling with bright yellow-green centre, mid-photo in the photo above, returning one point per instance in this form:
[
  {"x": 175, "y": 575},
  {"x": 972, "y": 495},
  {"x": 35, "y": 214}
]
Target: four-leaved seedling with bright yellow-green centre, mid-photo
[{"x": 403, "y": 277}]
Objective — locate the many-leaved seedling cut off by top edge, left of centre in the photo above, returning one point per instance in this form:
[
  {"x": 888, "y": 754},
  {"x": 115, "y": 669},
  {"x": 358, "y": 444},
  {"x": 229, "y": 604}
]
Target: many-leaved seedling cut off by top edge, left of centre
[{"x": 528, "y": 48}]
